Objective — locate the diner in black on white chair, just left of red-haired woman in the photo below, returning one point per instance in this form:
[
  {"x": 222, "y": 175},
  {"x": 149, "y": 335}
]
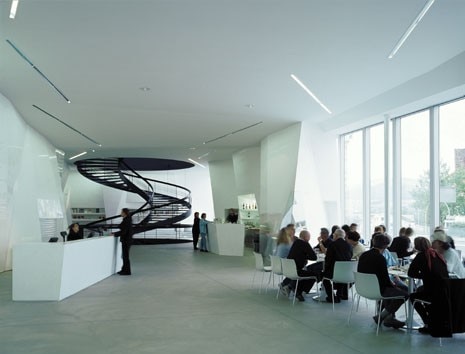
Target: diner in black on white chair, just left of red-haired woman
[{"x": 373, "y": 262}]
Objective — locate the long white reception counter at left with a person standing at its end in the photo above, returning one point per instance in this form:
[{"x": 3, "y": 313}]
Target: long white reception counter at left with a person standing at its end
[{"x": 54, "y": 271}]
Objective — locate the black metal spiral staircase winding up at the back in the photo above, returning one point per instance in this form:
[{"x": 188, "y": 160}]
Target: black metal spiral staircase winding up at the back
[{"x": 164, "y": 205}]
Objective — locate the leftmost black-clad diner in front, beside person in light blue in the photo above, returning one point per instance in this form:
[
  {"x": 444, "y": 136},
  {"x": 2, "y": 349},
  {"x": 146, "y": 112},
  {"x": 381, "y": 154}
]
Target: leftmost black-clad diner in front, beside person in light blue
[{"x": 301, "y": 252}]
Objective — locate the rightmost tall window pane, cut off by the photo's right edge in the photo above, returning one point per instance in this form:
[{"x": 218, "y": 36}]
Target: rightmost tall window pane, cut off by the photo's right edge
[{"x": 452, "y": 170}]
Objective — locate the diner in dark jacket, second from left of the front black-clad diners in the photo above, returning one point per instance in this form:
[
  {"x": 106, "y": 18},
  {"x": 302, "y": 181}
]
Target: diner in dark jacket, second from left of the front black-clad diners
[{"x": 338, "y": 250}]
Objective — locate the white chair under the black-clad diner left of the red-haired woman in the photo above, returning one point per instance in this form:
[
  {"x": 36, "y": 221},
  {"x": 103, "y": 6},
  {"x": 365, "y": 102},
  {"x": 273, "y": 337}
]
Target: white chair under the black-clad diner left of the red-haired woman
[{"x": 367, "y": 286}]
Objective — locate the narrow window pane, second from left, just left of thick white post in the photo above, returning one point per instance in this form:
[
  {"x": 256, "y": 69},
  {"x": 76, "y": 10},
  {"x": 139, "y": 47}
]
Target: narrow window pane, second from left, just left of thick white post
[{"x": 377, "y": 184}]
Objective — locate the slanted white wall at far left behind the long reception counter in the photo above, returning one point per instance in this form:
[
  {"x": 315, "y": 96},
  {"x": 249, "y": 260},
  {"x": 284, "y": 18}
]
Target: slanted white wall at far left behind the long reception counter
[{"x": 29, "y": 179}]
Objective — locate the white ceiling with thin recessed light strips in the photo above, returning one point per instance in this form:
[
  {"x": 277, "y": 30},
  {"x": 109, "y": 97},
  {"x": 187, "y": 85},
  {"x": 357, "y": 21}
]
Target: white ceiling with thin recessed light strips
[{"x": 205, "y": 61}]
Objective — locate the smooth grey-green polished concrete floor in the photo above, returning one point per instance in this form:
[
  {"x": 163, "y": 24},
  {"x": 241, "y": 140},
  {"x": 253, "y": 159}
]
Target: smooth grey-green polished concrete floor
[{"x": 180, "y": 301}]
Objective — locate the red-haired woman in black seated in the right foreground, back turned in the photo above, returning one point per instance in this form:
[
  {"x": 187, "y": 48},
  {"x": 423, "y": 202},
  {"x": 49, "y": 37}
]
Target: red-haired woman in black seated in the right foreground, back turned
[{"x": 431, "y": 267}]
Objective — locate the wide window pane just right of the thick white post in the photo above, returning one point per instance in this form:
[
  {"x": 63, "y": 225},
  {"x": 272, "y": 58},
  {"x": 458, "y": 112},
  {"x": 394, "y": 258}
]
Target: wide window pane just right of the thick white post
[{"x": 415, "y": 177}]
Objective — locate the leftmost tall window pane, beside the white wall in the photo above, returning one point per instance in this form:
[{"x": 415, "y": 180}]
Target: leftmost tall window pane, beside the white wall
[{"x": 353, "y": 179}]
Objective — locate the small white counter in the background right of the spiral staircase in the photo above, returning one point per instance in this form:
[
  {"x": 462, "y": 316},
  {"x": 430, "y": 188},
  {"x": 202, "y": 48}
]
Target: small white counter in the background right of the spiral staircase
[{"x": 226, "y": 239}]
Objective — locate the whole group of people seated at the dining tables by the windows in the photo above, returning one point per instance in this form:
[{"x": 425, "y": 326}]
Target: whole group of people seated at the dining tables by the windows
[{"x": 431, "y": 261}]
